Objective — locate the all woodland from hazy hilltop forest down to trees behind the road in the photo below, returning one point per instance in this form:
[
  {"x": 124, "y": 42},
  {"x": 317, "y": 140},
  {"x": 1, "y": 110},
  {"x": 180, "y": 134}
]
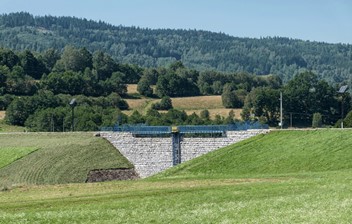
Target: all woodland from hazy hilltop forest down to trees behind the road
[{"x": 47, "y": 61}]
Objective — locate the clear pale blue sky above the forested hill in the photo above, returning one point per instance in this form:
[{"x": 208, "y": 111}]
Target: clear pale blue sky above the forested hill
[{"x": 315, "y": 20}]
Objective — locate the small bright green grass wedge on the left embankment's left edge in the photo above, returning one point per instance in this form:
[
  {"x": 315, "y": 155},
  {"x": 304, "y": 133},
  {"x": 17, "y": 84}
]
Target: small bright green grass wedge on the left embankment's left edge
[{"x": 9, "y": 155}]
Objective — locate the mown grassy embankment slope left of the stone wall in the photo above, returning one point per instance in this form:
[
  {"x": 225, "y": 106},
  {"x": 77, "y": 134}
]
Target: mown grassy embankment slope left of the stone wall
[{"x": 54, "y": 158}]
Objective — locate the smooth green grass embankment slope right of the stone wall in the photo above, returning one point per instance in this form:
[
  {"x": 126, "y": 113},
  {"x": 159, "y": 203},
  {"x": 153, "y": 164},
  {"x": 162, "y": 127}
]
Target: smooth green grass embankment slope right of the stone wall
[{"x": 278, "y": 153}]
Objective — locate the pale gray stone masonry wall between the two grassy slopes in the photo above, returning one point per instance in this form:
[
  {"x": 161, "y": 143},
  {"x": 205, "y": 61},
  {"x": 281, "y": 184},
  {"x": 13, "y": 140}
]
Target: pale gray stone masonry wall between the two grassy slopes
[{"x": 153, "y": 155}]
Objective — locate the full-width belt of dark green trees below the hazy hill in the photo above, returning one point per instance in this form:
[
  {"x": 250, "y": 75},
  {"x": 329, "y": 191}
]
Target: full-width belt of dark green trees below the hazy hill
[{"x": 36, "y": 88}]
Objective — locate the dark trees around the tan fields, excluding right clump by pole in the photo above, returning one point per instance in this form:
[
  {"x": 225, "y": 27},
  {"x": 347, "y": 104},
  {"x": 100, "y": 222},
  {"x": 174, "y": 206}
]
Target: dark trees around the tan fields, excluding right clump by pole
[{"x": 36, "y": 88}]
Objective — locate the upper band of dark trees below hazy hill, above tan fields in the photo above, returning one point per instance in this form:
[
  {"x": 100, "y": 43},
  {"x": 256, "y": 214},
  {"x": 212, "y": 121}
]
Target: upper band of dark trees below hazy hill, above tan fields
[{"x": 78, "y": 71}]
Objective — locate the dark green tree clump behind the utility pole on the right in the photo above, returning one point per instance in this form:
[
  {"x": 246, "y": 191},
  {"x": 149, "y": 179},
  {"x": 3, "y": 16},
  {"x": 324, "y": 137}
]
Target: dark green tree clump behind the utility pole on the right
[{"x": 305, "y": 99}]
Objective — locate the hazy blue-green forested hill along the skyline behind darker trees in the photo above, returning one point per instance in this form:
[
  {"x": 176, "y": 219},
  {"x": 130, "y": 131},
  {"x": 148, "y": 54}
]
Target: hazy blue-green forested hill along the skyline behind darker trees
[{"x": 201, "y": 50}]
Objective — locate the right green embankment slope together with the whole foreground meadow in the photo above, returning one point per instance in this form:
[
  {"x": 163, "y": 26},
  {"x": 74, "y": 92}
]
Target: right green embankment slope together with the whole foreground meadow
[{"x": 282, "y": 177}]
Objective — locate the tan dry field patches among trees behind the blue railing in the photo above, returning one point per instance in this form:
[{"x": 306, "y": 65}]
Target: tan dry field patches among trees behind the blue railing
[{"x": 188, "y": 104}]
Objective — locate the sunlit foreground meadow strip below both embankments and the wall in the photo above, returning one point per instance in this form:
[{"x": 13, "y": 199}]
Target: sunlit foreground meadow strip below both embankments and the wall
[{"x": 315, "y": 198}]
